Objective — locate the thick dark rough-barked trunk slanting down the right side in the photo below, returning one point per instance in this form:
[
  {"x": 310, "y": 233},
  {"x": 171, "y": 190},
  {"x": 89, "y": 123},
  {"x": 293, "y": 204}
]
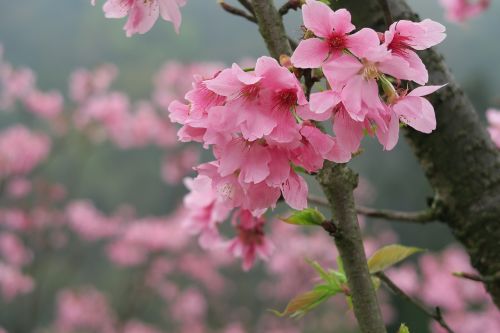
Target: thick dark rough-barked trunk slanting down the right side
[{"x": 459, "y": 159}]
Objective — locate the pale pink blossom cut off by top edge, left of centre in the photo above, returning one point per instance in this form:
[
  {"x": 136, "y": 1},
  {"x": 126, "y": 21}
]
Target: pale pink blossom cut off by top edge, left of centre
[{"x": 142, "y": 14}]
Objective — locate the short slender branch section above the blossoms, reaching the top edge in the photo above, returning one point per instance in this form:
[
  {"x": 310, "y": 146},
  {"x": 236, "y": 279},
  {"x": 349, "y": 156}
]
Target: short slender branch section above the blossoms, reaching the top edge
[{"x": 271, "y": 28}]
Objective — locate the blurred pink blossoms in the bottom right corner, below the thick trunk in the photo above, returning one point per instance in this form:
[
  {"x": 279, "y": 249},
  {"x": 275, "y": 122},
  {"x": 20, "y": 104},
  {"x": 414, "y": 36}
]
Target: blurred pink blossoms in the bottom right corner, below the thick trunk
[{"x": 465, "y": 304}]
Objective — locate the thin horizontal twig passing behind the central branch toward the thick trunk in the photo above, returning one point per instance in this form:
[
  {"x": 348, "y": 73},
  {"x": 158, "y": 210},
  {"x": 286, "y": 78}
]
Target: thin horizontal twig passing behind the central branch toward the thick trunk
[{"x": 422, "y": 217}]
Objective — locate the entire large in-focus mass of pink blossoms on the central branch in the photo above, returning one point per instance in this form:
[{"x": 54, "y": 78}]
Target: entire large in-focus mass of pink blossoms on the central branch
[{"x": 263, "y": 131}]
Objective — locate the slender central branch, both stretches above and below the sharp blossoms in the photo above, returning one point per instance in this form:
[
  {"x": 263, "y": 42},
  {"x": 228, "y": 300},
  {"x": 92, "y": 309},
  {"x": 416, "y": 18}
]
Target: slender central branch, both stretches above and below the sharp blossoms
[{"x": 338, "y": 183}]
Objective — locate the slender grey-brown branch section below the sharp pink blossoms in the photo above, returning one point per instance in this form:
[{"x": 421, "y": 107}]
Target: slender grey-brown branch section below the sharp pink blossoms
[{"x": 338, "y": 183}]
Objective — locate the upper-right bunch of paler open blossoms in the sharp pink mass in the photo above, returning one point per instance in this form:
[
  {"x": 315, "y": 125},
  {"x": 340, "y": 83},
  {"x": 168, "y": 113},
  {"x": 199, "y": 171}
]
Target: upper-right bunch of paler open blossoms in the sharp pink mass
[{"x": 365, "y": 71}]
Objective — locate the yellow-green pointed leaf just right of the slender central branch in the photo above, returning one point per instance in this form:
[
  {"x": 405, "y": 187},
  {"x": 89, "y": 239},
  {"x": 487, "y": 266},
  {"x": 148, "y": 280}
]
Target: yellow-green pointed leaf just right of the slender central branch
[{"x": 389, "y": 256}]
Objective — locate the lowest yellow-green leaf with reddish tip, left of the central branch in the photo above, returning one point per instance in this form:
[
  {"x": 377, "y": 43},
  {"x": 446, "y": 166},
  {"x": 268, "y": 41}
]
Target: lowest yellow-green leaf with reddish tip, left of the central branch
[{"x": 305, "y": 302}]
